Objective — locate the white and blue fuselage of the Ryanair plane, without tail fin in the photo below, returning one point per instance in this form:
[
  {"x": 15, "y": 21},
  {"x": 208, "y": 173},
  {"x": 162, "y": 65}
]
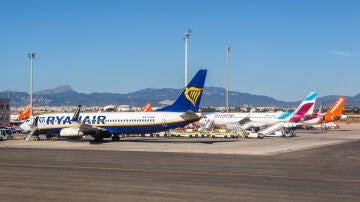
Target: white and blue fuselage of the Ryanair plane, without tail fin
[{"x": 116, "y": 122}]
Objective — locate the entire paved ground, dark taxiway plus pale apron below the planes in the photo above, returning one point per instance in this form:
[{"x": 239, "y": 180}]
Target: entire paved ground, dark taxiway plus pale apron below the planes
[{"x": 328, "y": 172}]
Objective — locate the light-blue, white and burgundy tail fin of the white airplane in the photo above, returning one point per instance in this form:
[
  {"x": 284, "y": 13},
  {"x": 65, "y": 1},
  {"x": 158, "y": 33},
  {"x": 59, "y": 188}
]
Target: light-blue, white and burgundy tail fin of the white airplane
[{"x": 303, "y": 108}]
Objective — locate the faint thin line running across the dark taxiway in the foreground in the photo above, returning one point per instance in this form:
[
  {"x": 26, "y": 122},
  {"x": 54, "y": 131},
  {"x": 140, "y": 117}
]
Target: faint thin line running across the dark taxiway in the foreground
[{"x": 180, "y": 172}]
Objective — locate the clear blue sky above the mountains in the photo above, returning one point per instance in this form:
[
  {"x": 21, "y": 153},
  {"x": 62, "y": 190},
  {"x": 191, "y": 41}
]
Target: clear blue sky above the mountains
[{"x": 282, "y": 49}]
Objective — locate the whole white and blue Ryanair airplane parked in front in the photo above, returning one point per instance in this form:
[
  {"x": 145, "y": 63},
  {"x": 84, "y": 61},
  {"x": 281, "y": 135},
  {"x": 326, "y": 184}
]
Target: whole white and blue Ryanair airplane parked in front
[{"x": 112, "y": 124}]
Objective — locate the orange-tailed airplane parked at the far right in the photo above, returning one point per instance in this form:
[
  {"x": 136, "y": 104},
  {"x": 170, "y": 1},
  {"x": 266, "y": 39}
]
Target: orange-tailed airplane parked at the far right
[{"x": 334, "y": 113}]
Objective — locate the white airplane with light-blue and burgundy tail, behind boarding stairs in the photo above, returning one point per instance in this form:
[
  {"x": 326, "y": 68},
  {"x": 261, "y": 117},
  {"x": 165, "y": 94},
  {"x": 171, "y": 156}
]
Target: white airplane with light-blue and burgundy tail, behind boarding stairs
[{"x": 237, "y": 120}]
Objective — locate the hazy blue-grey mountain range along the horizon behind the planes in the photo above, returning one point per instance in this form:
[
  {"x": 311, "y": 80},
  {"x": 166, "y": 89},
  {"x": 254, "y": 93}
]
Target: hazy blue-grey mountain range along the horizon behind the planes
[{"x": 212, "y": 97}]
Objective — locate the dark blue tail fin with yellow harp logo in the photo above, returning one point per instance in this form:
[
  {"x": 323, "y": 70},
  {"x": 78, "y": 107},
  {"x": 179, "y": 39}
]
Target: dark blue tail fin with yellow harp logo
[{"x": 190, "y": 98}]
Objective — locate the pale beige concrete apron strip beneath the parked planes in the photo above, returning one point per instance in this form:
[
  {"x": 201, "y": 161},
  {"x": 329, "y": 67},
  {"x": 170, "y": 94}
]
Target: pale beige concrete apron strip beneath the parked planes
[{"x": 269, "y": 145}]
